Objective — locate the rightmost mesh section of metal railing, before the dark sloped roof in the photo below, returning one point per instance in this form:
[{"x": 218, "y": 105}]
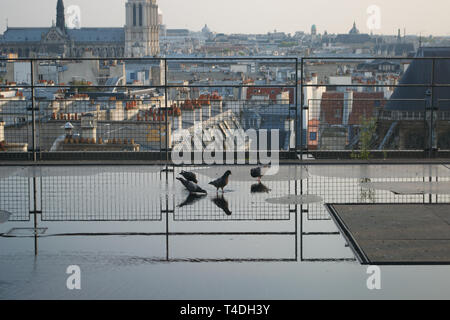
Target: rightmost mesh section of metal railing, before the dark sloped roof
[{"x": 342, "y": 131}]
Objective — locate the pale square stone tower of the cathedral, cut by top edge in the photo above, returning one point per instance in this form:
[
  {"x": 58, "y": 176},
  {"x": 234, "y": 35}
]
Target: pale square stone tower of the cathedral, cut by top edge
[{"x": 142, "y": 28}]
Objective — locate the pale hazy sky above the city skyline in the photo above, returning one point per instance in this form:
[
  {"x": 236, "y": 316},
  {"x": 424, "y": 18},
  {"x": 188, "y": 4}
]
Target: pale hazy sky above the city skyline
[{"x": 248, "y": 16}]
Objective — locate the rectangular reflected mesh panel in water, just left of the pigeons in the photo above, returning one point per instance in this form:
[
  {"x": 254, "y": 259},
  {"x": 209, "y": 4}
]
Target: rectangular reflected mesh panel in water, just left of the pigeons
[{"x": 106, "y": 196}]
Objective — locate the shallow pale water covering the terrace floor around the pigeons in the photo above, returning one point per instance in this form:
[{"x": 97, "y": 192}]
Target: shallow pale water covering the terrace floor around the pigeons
[{"x": 125, "y": 257}]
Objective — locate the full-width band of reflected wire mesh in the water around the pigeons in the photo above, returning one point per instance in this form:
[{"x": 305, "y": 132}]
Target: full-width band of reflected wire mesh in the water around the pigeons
[{"x": 143, "y": 193}]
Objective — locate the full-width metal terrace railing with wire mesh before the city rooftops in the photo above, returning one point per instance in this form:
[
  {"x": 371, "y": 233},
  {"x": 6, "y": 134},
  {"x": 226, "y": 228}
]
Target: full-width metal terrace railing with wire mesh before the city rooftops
[{"x": 133, "y": 108}]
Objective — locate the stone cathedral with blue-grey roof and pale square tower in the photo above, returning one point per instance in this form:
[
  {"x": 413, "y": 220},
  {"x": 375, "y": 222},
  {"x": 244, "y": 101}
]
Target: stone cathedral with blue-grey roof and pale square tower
[{"x": 139, "y": 37}]
